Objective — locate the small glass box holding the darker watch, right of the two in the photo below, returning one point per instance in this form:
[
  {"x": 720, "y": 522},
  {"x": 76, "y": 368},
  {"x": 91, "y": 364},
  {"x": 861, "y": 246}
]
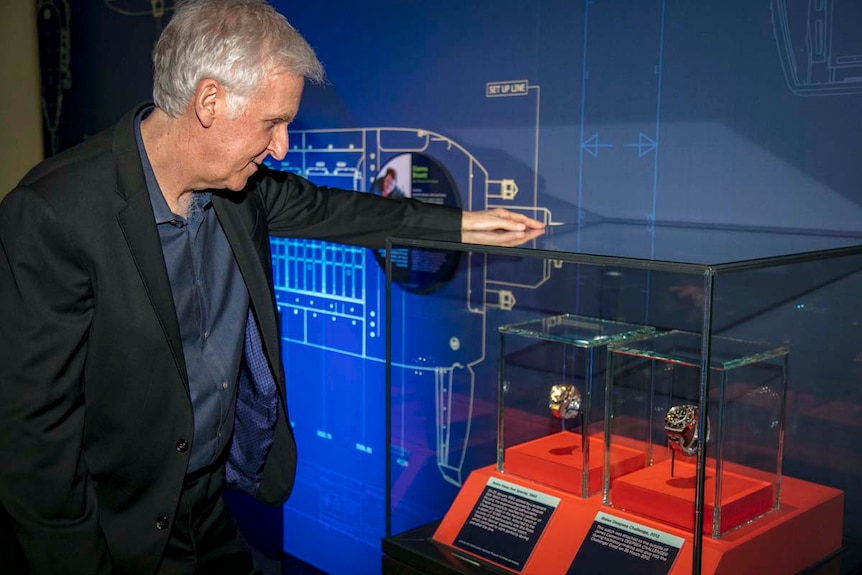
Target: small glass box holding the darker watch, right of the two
[{"x": 654, "y": 407}]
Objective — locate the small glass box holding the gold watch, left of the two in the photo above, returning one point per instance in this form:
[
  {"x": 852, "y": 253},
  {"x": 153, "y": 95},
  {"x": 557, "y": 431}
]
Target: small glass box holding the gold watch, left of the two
[{"x": 553, "y": 373}]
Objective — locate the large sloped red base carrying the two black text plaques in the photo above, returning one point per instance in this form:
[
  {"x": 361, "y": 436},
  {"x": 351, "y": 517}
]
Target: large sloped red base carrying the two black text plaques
[{"x": 805, "y": 530}]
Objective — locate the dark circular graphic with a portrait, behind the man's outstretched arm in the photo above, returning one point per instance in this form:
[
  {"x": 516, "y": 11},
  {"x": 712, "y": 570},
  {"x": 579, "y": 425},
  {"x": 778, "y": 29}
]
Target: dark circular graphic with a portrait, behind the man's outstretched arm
[{"x": 421, "y": 177}]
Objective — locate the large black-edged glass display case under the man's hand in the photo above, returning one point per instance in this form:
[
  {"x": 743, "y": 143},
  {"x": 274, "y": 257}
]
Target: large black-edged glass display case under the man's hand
[{"x": 729, "y": 381}]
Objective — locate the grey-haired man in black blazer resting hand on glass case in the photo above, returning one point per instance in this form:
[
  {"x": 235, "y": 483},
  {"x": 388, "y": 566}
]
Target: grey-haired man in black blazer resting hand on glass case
[{"x": 139, "y": 360}]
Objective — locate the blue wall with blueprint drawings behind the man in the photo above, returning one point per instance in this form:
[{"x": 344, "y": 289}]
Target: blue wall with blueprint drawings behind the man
[{"x": 742, "y": 113}]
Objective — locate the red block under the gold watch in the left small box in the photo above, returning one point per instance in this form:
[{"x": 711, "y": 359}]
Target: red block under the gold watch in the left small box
[{"x": 558, "y": 460}]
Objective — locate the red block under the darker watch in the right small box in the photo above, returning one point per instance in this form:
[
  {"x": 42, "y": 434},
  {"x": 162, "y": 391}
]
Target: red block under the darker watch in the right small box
[{"x": 652, "y": 492}]
